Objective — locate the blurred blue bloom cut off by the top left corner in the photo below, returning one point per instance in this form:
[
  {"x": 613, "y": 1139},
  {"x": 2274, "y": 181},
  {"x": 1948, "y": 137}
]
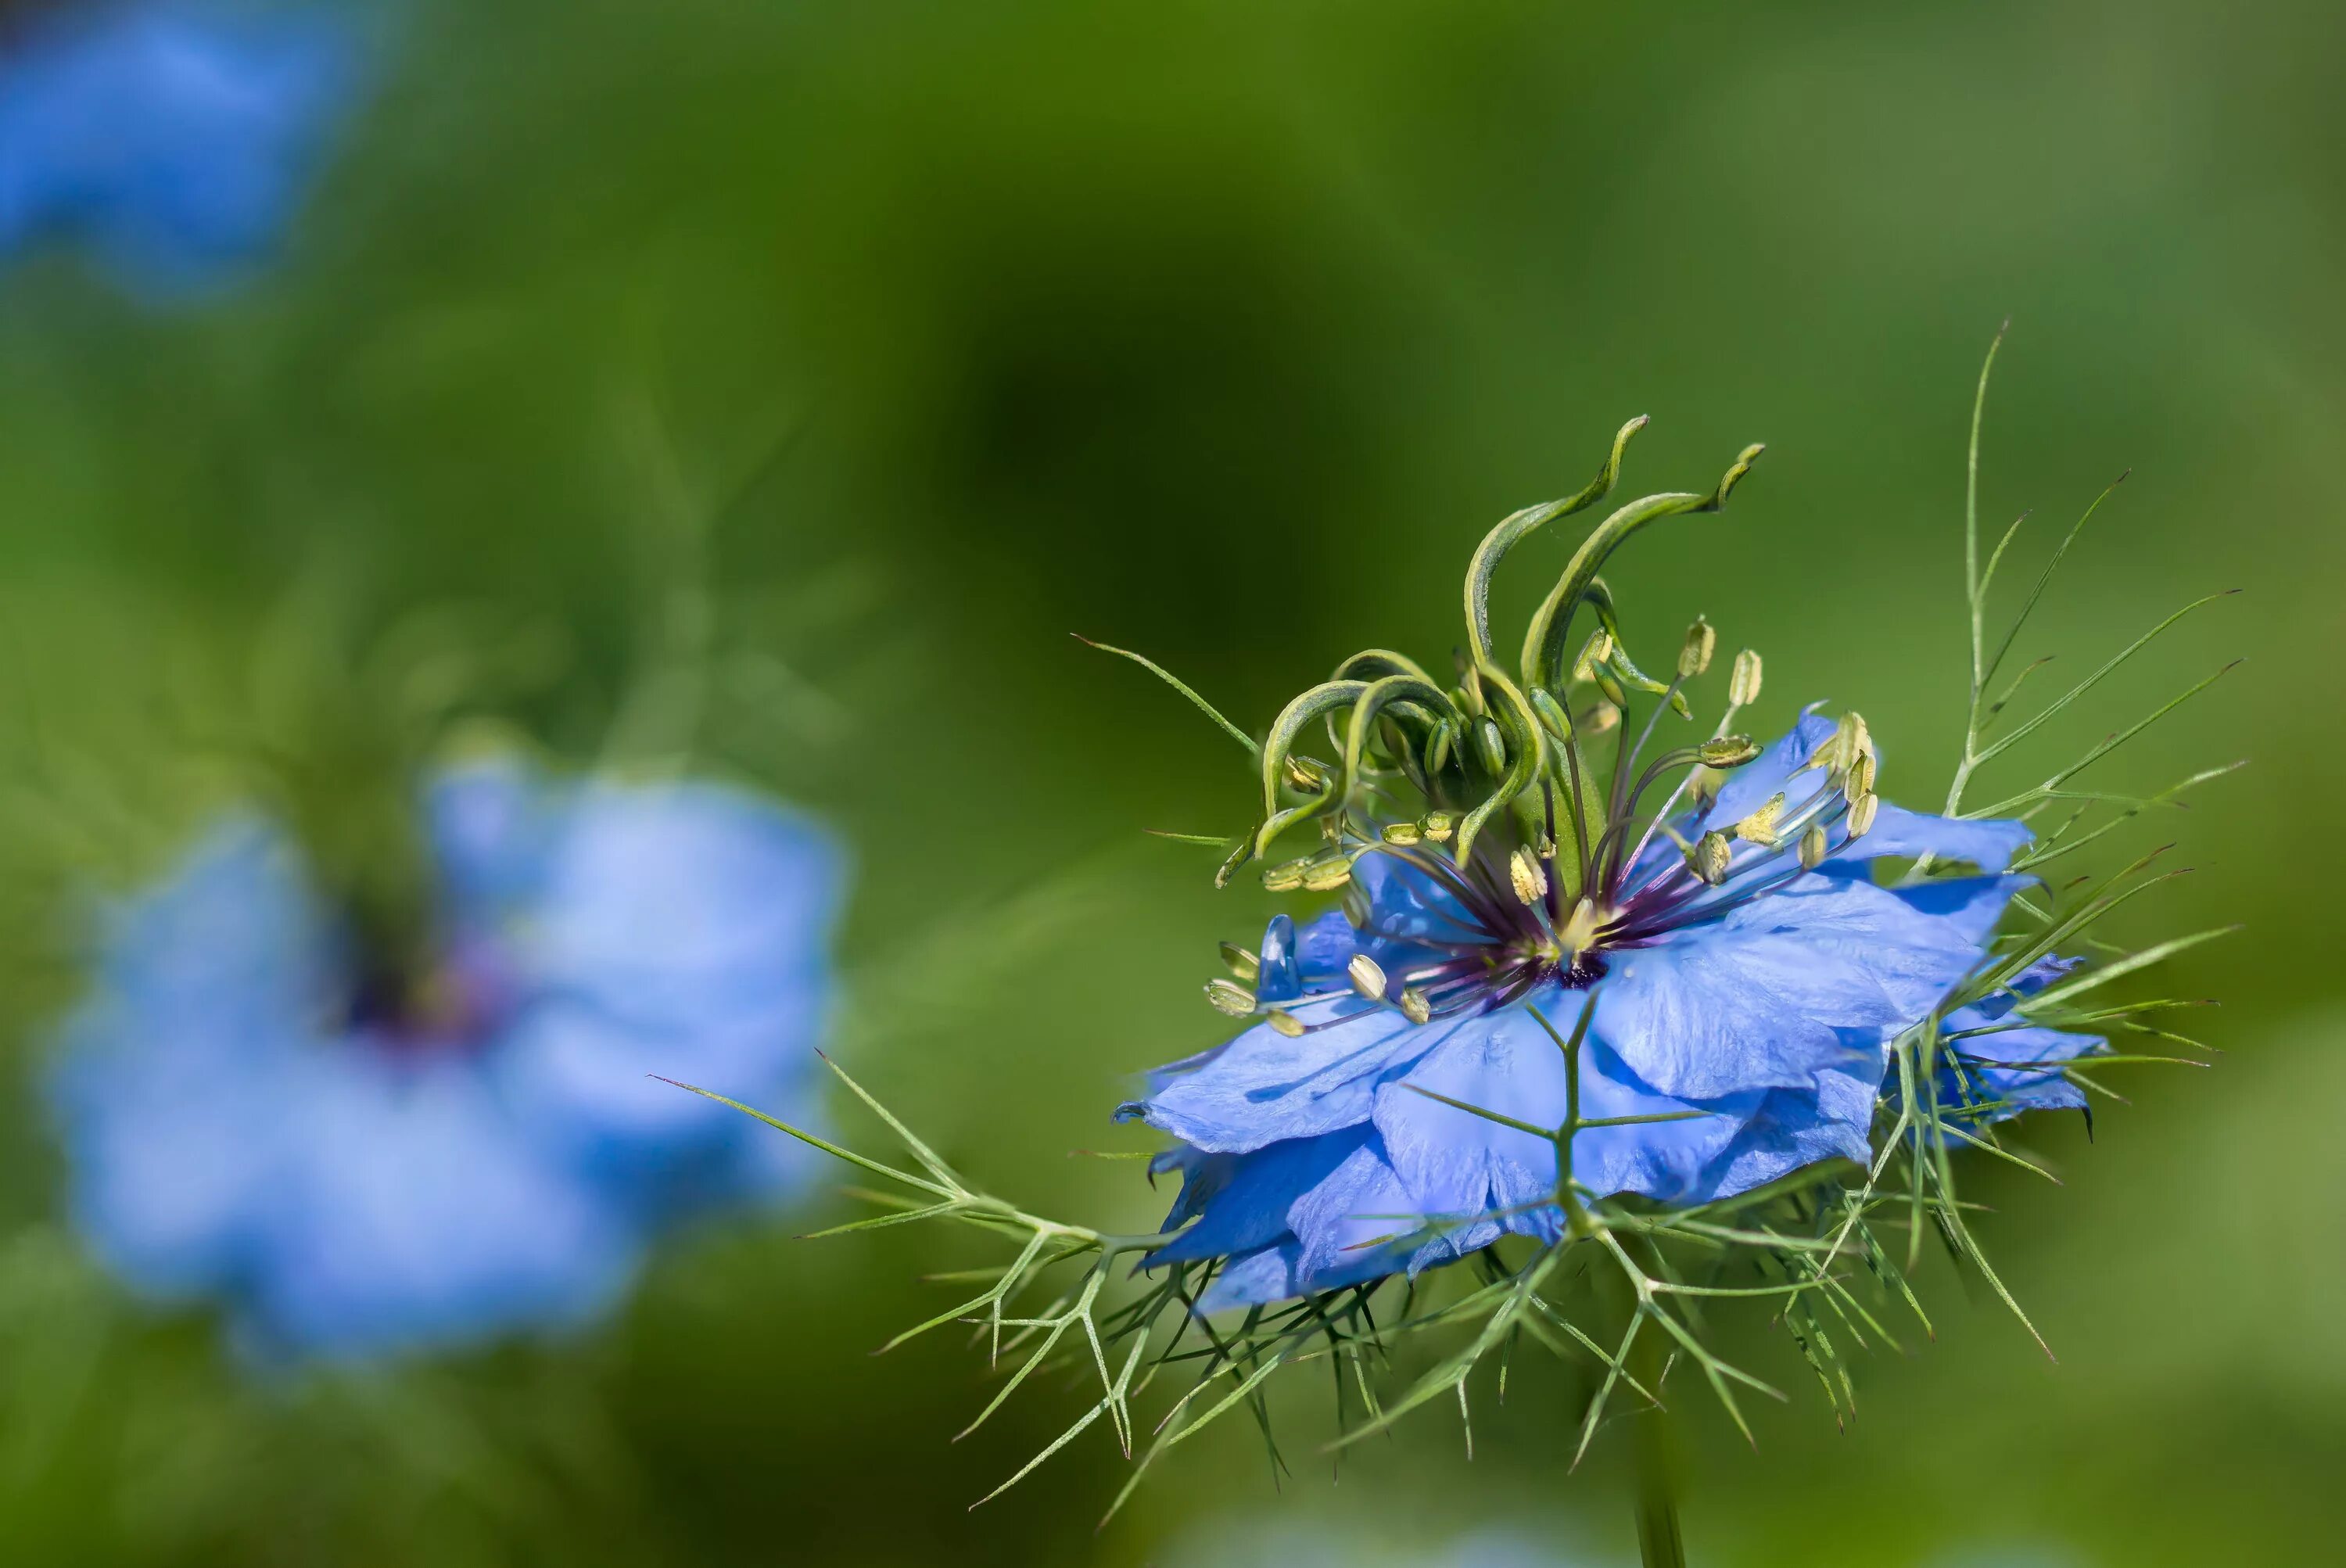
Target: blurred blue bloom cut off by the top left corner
[{"x": 170, "y": 137}]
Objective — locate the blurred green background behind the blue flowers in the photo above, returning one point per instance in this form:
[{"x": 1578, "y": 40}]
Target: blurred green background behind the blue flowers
[{"x": 1221, "y": 332}]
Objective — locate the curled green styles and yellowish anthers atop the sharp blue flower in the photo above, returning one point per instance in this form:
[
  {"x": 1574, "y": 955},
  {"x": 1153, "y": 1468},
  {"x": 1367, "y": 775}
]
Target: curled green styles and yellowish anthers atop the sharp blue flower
[{"x": 1540, "y": 809}]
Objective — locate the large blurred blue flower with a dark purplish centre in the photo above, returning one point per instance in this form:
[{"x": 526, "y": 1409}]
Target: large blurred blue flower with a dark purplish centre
[{"x": 243, "y": 1130}]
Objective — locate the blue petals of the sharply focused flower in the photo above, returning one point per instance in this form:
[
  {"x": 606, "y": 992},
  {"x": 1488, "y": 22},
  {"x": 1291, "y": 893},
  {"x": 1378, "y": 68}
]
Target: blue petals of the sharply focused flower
[{"x": 1315, "y": 1154}]
